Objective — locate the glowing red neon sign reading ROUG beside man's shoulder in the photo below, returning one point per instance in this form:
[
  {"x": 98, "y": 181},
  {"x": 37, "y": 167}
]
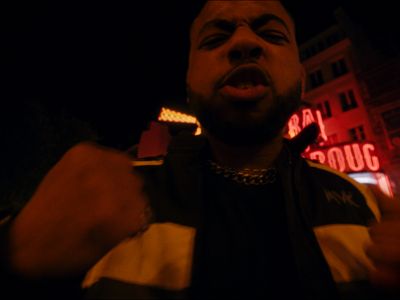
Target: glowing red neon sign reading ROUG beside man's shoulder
[{"x": 355, "y": 157}]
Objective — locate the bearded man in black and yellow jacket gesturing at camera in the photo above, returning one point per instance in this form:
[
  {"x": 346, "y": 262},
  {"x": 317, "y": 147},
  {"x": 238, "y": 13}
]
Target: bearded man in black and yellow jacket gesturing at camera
[{"x": 236, "y": 213}]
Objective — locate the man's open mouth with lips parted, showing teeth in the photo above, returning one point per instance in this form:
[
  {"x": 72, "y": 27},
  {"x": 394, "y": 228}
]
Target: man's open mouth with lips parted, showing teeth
[{"x": 245, "y": 83}]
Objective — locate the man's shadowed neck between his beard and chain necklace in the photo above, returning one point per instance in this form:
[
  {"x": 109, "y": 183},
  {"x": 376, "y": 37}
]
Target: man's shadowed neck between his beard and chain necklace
[{"x": 246, "y": 157}]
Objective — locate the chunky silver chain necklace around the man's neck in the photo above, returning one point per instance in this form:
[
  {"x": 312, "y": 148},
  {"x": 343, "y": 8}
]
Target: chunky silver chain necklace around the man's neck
[{"x": 245, "y": 176}]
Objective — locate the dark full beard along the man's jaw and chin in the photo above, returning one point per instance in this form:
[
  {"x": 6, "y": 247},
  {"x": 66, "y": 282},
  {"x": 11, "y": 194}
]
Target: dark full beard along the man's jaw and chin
[{"x": 243, "y": 130}]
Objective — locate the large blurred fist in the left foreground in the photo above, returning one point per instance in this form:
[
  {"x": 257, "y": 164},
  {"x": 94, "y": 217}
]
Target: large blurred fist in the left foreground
[{"x": 89, "y": 202}]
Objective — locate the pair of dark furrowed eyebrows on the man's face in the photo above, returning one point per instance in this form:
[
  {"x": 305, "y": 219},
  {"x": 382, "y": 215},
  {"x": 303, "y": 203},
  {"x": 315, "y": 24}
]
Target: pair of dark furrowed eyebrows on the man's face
[{"x": 255, "y": 24}]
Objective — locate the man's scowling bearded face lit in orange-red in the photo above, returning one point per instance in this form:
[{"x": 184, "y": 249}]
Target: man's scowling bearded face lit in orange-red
[{"x": 244, "y": 76}]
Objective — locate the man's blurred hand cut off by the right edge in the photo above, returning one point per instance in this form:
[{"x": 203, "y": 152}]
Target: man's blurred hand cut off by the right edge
[{"x": 385, "y": 248}]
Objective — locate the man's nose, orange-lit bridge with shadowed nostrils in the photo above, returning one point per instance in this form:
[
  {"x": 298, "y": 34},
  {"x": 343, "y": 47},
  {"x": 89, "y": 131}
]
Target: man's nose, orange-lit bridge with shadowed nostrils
[{"x": 245, "y": 47}]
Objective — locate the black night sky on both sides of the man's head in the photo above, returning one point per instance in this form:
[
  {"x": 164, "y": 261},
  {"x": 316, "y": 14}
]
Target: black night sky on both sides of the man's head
[{"x": 113, "y": 63}]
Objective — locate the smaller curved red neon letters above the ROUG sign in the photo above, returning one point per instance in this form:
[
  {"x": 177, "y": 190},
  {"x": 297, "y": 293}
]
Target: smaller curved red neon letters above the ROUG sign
[{"x": 302, "y": 119}]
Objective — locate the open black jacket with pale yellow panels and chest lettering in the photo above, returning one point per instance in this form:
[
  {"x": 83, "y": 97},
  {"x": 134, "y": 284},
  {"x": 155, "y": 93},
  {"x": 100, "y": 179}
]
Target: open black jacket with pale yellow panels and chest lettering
[{"x": 327, "y": 216}]
